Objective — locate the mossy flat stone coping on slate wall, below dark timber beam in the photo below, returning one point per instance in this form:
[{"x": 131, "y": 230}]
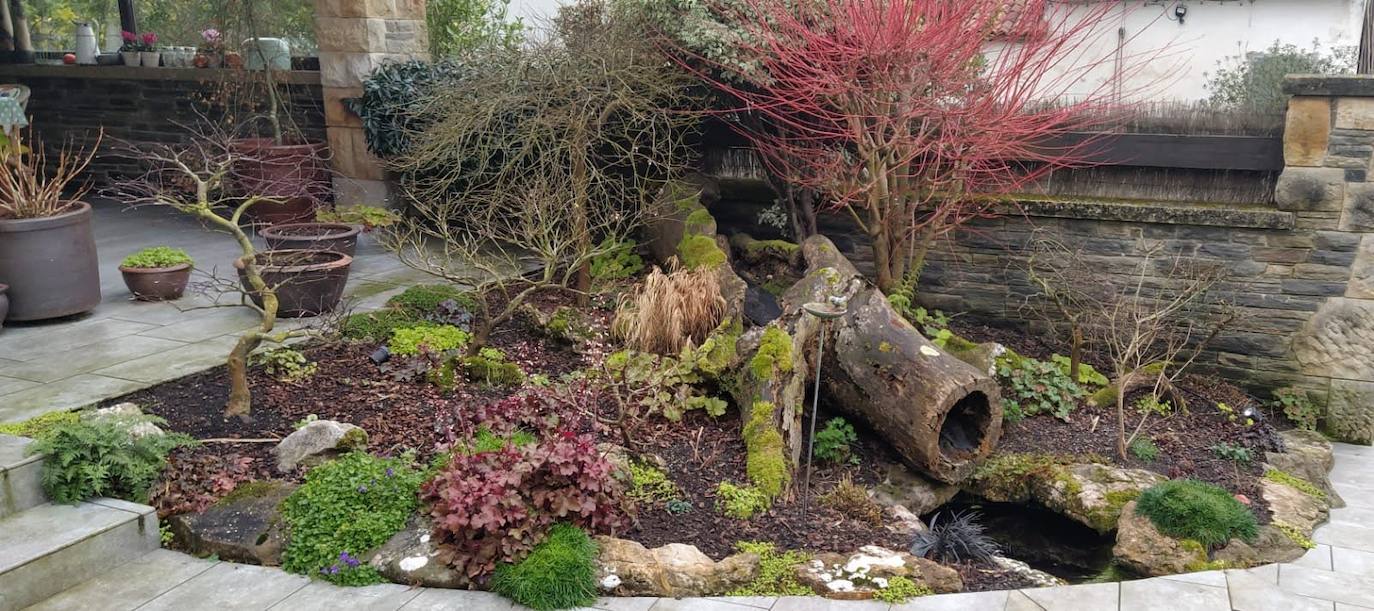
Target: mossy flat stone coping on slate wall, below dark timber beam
[{"x": 1167, "y": 214}]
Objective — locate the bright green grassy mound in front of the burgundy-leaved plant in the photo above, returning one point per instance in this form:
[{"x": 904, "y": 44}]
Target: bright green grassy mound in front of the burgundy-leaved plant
[{"x": 561, "y": 573}]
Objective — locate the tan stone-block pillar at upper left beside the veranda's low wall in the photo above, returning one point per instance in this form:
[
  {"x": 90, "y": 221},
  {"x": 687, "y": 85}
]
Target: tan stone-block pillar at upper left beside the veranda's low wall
[{"x": 355, "y": 38}]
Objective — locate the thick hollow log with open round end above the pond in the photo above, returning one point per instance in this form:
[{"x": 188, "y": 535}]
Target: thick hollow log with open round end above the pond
[{"x": 941, "y": 414}]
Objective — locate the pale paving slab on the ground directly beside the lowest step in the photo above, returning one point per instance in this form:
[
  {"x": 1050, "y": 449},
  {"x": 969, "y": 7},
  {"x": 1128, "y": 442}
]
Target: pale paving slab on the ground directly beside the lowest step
[{"x": 130, "y": 586}]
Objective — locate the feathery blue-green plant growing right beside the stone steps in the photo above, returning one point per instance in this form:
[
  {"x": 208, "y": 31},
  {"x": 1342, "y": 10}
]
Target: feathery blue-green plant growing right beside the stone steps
[{"x": 109, "y": 457}]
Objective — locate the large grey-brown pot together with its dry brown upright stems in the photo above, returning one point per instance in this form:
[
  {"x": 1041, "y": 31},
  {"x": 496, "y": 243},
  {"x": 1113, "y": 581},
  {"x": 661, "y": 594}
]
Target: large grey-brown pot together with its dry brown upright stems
[{"x": 47, "y": 249}]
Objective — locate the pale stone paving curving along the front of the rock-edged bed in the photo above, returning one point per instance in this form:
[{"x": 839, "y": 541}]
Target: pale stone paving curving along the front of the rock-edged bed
[{"x": 1338, "y": 576}]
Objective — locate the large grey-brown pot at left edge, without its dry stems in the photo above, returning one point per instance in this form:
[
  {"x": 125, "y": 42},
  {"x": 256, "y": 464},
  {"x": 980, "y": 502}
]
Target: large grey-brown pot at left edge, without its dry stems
[{"x": 50, "y": 264}]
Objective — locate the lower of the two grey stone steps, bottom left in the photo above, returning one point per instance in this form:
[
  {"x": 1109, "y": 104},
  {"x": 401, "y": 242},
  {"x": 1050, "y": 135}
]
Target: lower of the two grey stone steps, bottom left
[{"x": 50, "y": 549}]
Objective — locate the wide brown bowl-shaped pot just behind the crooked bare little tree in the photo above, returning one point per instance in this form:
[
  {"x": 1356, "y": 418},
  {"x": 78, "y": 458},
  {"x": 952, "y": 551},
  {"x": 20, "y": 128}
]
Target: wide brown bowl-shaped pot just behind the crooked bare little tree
[{"x": 307, "y": 282}]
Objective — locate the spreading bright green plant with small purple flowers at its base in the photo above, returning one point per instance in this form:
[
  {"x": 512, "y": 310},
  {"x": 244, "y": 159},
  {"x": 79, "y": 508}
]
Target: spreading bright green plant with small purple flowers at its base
[{"x": 346, "y": 509}]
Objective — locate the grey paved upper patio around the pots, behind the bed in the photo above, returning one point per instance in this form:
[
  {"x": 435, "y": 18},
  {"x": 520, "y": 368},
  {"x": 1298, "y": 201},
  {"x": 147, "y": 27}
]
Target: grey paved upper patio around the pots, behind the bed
[{"x": 126, "y": 345}]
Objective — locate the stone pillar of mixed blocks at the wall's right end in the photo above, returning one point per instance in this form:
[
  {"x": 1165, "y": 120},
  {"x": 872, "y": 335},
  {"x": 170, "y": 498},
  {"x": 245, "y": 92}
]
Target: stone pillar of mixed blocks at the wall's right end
[{"x": 1328, "y": 185}]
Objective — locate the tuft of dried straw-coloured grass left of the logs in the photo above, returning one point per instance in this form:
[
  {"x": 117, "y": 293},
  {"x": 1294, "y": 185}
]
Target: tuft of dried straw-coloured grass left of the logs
[{"x": 671, "y": 311}]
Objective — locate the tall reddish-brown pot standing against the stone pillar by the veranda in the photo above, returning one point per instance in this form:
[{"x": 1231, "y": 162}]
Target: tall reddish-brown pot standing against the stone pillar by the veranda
[{"x": 296, "y": 174}]
